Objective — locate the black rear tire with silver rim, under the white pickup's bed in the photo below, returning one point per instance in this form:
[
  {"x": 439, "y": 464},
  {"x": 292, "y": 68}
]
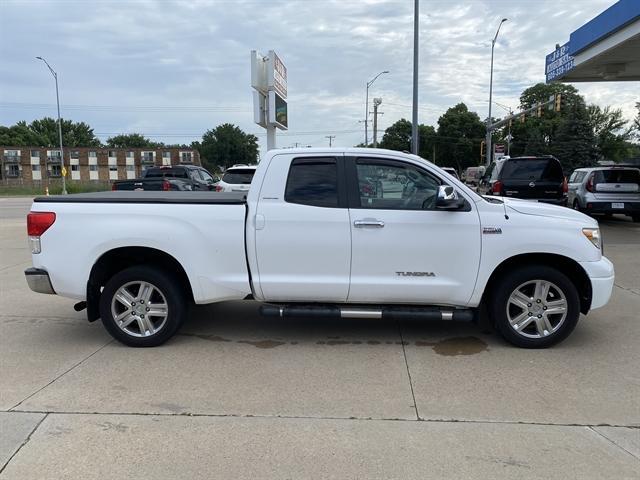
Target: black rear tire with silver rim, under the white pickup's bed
[{"x": 165, "y": 294}]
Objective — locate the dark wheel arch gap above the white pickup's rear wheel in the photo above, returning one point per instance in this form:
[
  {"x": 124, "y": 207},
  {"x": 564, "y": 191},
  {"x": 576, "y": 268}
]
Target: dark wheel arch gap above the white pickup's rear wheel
[{"x": 117, "y": 259}]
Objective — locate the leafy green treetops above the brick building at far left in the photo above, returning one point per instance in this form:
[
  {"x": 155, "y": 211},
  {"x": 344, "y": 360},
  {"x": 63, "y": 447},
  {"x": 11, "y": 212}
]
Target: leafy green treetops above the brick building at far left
[{"x": 44, "y": 133}]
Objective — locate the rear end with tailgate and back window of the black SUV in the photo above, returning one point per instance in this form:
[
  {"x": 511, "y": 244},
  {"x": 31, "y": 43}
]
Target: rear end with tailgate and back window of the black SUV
[{"x": 532, "y": 178}]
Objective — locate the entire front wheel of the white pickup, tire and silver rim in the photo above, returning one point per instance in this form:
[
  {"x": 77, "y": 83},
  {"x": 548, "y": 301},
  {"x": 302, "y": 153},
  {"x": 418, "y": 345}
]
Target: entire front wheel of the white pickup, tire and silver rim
[{"x": 535, "y": 307}]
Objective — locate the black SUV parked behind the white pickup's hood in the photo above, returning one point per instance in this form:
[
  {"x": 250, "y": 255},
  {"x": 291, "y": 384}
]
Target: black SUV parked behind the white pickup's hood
[{"x": 531, "y": 178}]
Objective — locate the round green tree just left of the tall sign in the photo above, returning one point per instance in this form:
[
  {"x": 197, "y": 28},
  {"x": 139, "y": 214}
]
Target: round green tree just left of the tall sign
[{"x": 226, "y": 145}]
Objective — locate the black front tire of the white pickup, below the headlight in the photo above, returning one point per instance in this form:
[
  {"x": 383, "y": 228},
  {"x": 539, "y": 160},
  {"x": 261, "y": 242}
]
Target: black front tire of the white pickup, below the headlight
[{"x": 500, "y": 308}]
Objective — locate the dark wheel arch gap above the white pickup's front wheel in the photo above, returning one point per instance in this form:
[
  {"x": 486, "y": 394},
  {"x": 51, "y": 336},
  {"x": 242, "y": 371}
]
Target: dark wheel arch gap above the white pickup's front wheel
[{"x": 565, "y": 265}]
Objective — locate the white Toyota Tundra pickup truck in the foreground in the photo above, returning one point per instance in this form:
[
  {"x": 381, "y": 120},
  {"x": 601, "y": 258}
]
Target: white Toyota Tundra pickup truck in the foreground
[{"x": 358, "y": 233}]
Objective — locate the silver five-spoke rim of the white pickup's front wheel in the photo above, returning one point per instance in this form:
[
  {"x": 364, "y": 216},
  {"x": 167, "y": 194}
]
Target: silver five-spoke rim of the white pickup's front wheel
[{"x": 536, "y": 309}]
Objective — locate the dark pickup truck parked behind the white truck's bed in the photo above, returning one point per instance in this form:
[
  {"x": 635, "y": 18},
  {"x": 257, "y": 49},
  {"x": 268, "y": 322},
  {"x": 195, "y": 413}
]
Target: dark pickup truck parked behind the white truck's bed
[{"x": 174, "y": 177}]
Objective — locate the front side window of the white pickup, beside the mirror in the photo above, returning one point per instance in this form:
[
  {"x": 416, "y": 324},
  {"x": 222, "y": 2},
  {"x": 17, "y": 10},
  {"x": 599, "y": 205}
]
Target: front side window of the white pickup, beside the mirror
[{"x": 395, "y": 186}]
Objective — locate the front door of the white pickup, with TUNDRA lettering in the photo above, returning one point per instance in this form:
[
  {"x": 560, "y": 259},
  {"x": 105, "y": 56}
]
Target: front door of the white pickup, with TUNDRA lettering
[{"x": 404, "y": 250}]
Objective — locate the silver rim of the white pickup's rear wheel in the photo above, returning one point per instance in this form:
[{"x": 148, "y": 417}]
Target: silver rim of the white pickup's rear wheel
[{"x": 139, "y": 309}]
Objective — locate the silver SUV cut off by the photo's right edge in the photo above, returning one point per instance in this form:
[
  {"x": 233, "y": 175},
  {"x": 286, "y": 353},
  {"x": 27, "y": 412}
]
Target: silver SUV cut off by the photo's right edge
[{"x": 606, "y": 190}]
